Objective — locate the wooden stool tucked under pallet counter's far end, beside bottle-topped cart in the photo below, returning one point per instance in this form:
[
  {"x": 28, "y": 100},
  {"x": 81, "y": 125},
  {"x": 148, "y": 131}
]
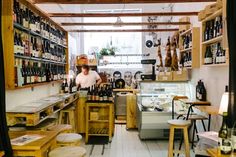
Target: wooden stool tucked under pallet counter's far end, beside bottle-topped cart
[{"x": 68, "y": 116}]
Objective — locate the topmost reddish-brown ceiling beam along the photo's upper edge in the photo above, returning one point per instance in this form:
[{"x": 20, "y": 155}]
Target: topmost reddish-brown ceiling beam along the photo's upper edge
[{"x": 116, "y": 1}]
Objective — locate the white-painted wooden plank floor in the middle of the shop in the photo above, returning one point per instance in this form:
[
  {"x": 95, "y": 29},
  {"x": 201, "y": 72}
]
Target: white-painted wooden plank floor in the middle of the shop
[{"x": 127, "y": 144}]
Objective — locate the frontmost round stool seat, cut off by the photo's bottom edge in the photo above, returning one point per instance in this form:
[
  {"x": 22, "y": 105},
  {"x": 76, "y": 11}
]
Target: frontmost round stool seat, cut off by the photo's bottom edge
[{"x": 68, "y": 151}]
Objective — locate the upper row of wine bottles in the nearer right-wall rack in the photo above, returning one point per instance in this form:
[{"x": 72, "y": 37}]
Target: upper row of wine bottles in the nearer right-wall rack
[{"x": 213, "y": 28}]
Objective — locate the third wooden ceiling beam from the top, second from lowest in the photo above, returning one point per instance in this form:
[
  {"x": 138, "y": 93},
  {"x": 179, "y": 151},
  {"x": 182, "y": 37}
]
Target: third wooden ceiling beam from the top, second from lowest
[{"x": 125, "y": 24}]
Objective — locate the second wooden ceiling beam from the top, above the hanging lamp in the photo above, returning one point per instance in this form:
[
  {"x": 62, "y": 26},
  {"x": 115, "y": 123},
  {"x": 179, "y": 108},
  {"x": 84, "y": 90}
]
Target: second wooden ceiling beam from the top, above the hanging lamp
[{"x": 122, "y": 14}]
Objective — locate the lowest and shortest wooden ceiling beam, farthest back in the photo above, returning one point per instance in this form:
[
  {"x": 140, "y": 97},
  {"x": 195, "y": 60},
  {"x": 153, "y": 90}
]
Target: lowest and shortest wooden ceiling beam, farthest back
[{"x": 127, "y": 30}]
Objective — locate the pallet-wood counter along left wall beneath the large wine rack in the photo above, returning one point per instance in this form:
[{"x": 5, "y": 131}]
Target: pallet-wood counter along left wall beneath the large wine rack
[{"x": 33, "y": 113}]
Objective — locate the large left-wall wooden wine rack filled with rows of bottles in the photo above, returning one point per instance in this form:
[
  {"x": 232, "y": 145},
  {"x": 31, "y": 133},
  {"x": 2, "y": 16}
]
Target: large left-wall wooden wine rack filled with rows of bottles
[{"x": 35, "y": 47}]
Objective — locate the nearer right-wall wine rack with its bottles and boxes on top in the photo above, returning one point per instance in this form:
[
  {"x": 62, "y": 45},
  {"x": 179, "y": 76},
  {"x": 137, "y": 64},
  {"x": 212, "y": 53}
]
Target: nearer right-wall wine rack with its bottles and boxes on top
[{"x": 214, "y": 48}]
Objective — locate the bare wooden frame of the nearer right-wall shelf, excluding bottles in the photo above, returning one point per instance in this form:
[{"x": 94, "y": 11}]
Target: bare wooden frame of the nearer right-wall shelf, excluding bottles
[{"x": 219, "y": 39}]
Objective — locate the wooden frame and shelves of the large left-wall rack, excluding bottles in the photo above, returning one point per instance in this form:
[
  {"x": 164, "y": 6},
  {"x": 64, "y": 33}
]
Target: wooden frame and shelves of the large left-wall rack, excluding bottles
[{"x": 10, "y": 58}]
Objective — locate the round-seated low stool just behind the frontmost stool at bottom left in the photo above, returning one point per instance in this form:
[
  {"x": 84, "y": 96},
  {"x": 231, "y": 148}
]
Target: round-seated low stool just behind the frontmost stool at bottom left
[{"x": 68, "y": 139}]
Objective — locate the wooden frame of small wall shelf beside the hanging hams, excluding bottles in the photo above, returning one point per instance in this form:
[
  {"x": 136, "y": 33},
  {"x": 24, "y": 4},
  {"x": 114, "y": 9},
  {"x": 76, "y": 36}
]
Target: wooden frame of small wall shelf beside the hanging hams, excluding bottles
[{"x": 194, "y": 49}]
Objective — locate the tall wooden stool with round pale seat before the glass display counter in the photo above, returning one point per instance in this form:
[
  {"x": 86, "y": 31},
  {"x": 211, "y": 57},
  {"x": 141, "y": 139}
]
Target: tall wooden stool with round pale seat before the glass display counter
[{"x": 178, "y": 124}]
